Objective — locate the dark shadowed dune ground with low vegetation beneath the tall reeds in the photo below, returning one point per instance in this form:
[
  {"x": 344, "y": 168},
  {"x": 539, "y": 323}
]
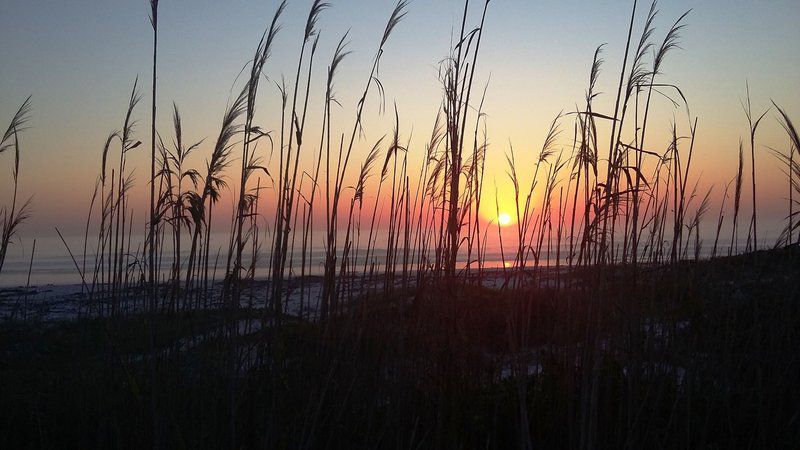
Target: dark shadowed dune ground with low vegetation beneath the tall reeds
[{"x": 711, "y": 364}]
